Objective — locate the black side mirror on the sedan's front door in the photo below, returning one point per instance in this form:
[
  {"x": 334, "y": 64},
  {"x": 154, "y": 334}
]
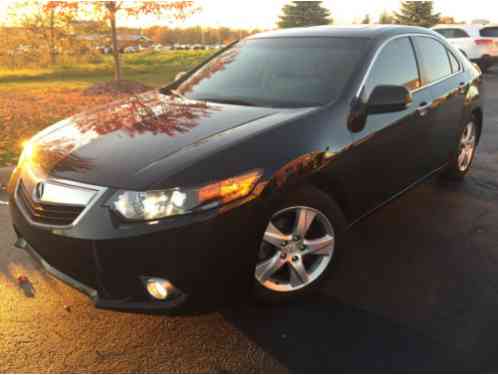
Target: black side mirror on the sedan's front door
[{"x": 387, "y": 99}]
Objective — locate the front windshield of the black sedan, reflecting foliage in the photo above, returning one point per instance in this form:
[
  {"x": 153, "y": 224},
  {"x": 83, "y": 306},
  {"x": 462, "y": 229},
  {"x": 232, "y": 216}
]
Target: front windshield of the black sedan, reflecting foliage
[{"x": 277, "y": 72}]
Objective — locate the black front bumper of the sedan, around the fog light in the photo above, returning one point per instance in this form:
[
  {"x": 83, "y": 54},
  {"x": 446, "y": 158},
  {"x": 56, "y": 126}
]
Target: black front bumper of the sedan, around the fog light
[{"x": 208, "y": 259}]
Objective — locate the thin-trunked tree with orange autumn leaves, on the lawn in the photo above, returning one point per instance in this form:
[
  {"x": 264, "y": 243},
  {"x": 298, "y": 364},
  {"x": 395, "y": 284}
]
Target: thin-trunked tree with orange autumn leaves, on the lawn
[{"x": 109, "y": 11}]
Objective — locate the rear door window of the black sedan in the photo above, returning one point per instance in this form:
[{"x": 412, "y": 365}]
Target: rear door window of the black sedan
[{"x": 434, "y": 58}]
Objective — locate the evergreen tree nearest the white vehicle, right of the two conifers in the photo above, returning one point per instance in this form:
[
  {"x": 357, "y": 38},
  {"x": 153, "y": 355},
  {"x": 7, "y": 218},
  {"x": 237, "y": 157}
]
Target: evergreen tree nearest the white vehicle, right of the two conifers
[{"x": 417, "y": 13}]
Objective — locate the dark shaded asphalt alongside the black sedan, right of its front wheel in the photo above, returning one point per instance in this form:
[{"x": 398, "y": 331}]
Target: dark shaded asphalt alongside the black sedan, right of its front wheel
[{"x": 411, "y": 293}]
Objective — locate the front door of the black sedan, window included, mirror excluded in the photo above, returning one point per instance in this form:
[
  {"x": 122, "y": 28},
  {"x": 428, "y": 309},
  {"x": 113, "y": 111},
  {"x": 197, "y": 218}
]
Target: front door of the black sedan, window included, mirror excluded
[{"x": 390, "y": 149}]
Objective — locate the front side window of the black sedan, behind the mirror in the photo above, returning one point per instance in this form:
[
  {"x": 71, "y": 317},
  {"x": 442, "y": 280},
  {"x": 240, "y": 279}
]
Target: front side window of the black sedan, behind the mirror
[{"x": 395, "y": 65}]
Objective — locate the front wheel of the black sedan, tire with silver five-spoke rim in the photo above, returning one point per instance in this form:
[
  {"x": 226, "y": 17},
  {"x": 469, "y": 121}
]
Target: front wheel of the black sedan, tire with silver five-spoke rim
[{"x": 310, "y": 203}]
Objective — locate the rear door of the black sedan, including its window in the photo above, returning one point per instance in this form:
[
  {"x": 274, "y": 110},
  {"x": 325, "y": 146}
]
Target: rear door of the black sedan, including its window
[{"x": 442, "y": 72}]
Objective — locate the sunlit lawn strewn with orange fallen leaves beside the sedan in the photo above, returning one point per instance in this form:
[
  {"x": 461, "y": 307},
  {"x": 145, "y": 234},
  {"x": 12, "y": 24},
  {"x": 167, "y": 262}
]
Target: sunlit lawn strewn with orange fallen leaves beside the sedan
[{"x": 32, "y": 99}]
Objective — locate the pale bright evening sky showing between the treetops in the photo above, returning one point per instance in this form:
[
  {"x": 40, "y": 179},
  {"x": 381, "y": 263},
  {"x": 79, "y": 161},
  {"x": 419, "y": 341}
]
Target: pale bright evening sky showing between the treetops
[{"x": 264, "y": 13}]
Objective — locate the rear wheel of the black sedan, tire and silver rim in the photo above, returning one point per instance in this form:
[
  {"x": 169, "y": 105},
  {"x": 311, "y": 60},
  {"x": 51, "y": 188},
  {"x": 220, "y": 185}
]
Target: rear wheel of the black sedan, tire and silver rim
[{"x": 459, "y": 166}]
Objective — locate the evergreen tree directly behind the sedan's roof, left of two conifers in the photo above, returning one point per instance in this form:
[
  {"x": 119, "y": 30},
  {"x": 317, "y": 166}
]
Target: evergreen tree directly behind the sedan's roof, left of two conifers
[{"x": 304, "y": 13}]
